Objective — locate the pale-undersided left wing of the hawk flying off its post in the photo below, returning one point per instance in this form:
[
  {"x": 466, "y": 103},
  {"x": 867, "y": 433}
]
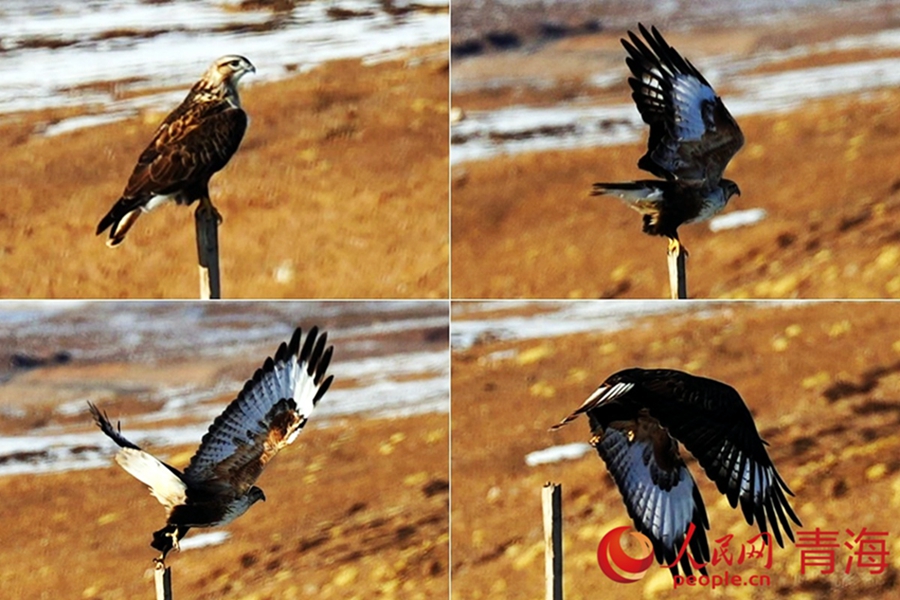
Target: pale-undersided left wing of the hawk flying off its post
[{"x": 662, "y": 500}]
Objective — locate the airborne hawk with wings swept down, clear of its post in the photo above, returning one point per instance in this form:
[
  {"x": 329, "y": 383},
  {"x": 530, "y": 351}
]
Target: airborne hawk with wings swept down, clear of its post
[{"x": 639, "y": 416}]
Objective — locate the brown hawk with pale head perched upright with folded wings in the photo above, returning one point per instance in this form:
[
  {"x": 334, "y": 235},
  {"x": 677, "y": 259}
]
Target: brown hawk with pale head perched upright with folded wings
[{"x": 195, "y": 141}]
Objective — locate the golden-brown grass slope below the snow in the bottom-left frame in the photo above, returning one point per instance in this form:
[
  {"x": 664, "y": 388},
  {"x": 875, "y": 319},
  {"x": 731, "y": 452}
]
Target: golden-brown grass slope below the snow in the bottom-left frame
[{"x": 356, "y": 509}]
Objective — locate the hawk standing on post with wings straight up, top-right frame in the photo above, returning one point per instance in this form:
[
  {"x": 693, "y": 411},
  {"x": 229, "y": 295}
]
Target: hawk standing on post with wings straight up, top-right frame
[{"x": 692, "y": 139}]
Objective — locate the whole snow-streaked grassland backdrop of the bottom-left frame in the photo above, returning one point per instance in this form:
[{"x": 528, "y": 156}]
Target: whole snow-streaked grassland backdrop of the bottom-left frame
[{"x": 358, "y": 501}]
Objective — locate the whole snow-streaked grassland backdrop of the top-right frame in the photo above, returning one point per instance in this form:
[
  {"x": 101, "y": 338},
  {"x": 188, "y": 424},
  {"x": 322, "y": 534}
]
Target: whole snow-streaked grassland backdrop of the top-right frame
[{"x": 541, "y": 109}]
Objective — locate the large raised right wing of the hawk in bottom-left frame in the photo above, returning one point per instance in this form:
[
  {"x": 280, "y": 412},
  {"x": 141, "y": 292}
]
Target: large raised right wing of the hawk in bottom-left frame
[{"x": 266, "y": 416}]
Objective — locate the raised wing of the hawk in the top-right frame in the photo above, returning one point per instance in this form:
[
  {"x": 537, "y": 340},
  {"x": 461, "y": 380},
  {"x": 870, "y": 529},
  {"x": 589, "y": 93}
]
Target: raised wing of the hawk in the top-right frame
[{"x": 692, "y": 134}]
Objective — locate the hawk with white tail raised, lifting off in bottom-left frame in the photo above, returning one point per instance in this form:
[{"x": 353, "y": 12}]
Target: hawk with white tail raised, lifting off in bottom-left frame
[{"x": 217, "y": 486}]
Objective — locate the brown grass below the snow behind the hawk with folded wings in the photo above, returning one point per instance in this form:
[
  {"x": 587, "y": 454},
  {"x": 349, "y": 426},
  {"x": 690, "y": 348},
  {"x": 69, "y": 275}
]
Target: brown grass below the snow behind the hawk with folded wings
[{"x": 339, "y": 189}]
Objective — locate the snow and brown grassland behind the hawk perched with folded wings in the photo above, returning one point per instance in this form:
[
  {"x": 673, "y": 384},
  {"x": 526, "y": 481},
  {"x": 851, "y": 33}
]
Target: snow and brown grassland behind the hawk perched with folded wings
[{"x": 85, "y": 84}]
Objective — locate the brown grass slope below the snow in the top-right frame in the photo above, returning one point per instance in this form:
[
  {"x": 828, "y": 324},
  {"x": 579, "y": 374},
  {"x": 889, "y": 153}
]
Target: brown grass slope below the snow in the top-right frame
[{"x": 825, "y": 174}]
